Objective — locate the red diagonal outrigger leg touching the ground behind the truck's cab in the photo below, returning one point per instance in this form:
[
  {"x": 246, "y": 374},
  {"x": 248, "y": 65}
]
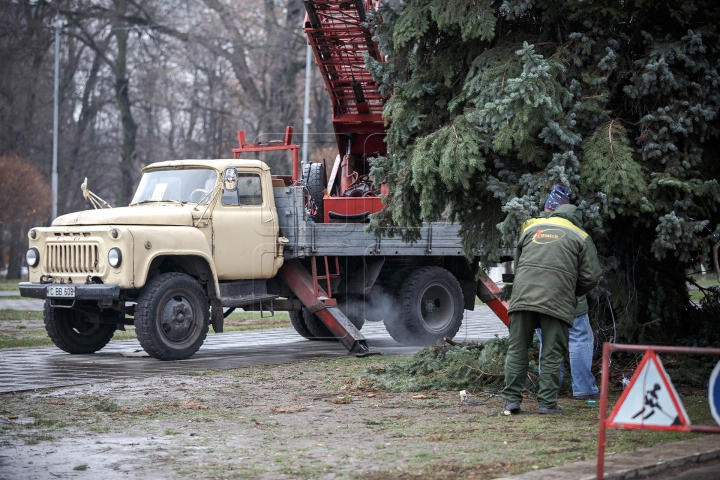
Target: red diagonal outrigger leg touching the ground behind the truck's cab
[{"x": 296, "y": 276}]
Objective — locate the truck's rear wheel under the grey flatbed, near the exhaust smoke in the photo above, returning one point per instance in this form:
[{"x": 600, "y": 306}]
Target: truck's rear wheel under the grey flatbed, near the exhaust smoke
[{"x": 431, "y": 307}]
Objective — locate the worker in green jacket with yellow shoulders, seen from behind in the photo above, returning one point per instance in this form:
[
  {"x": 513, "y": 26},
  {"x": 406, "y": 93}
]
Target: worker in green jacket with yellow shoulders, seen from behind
[{"x": 555, "y": 262}]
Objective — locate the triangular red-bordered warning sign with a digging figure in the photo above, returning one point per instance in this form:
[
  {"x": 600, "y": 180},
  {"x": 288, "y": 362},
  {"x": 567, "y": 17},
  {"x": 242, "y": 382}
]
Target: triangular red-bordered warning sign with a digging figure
[{"x": 650, "y": 400}]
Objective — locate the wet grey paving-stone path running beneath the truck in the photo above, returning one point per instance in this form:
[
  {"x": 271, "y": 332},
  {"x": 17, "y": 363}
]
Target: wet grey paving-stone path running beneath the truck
[{"x": 43, "y": 367}]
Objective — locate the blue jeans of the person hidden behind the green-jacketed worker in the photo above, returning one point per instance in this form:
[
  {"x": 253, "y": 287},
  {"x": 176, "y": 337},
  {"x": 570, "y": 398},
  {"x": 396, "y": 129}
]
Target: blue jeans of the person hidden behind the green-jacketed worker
[{"x": 581, "y": 351}]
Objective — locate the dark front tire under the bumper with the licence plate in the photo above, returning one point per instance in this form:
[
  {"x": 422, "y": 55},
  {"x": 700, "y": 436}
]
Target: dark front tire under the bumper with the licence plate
[{"x": 70, "y": 331}]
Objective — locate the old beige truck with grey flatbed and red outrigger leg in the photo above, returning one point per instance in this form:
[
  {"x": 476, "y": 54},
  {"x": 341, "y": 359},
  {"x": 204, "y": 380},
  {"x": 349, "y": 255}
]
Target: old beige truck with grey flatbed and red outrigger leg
[{"x": 204, "y": 237}]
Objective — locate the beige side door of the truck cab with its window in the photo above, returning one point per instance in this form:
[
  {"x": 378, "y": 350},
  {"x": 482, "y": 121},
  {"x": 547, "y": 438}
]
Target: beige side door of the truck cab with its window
[{"x": 245, "y": 230}]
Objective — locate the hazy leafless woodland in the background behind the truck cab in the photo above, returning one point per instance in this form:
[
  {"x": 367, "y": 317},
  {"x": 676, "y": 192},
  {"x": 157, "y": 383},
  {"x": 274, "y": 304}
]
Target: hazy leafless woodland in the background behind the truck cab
[{"x": 148, "y": 80}]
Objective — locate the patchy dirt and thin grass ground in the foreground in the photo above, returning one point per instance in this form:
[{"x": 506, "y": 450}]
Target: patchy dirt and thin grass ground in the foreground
[{"x": 316, "y": 419}]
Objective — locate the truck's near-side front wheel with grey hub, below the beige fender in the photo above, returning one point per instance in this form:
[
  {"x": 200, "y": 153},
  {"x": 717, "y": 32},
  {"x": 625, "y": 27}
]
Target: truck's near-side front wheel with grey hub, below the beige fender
[{"x": 172, "y": 316}]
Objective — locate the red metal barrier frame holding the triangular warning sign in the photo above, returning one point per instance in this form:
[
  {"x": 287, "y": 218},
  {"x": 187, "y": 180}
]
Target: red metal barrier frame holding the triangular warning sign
[{"x": 650, "y": 351}]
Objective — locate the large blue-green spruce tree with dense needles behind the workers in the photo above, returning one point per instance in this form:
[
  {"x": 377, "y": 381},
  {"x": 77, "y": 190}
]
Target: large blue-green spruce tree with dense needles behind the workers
[{"x": 490, "y": 103}]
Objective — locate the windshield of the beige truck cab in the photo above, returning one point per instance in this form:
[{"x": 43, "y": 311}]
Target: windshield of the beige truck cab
[{"x": 170, "y": 185}]
